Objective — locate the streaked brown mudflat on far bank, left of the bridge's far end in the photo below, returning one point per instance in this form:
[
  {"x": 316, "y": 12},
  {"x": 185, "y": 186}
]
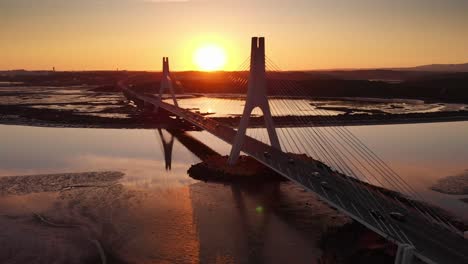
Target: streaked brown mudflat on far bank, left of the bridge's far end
[{"x": 80, "y": 107}]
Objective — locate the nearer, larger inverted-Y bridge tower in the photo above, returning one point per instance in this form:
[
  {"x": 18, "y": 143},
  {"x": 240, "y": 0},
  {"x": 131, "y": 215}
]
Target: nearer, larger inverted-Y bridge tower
[{"x": 256, "y": 97}]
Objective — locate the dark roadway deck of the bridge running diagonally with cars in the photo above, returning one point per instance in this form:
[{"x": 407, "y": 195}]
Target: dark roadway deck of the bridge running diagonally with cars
[{"x": 433, "y": 243}]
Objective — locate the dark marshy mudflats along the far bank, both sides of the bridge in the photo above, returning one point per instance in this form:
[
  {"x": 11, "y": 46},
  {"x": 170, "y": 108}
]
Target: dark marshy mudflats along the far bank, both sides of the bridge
[{"x": 87, "y": 107}]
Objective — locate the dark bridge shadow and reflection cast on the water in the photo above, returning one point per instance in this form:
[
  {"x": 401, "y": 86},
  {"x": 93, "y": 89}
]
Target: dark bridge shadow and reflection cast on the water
[{"x": 272, "y": 222}]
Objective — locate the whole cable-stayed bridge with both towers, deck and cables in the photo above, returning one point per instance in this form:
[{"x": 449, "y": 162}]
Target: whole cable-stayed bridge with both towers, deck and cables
[{"x": 338, "y": 168}]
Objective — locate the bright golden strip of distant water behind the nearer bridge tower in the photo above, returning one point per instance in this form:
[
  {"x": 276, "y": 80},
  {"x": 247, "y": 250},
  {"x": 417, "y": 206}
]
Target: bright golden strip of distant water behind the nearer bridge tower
[{"x": 232, "y": 105}]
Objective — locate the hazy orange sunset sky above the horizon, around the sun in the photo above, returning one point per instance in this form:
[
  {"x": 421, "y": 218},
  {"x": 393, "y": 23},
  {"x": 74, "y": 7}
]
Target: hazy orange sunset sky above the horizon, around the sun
[{"x": 301, "y": 34}]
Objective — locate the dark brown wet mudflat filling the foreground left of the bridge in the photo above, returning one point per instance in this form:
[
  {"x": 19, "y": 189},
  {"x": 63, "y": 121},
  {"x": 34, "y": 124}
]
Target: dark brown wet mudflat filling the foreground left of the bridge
[{"x": 199, "y": 223}]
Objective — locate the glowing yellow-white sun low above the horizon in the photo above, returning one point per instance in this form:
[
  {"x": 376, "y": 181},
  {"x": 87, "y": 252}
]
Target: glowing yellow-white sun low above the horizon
[{"x": 210, "y": 58}]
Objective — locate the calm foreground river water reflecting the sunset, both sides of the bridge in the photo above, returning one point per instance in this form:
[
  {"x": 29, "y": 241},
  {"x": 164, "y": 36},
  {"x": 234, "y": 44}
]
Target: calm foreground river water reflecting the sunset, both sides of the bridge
[{"x": 158, "y": 214}]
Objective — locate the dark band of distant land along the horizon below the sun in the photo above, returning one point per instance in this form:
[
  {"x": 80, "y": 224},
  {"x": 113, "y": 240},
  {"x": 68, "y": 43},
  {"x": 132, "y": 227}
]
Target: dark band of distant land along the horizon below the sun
[{"x": 357, "y": 83}]
